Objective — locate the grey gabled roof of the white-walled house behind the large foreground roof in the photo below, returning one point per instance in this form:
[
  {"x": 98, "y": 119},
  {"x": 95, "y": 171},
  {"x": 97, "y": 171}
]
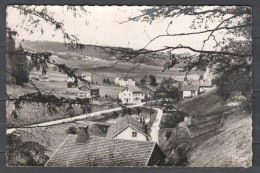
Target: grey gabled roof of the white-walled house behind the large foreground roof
[{"x": 123, "y": 123}]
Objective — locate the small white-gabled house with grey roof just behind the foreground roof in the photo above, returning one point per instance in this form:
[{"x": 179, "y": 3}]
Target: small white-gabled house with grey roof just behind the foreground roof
[{"x": 129, "y": 128}]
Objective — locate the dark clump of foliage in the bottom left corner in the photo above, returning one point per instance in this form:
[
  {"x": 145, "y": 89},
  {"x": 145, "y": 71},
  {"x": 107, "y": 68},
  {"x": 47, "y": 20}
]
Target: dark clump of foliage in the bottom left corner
[{"x": 21, "y": 153}]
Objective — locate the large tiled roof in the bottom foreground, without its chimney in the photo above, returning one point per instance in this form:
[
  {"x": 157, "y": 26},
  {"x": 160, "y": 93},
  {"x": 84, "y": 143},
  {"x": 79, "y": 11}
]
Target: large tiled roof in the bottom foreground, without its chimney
[{"x": 99, "y": 151}]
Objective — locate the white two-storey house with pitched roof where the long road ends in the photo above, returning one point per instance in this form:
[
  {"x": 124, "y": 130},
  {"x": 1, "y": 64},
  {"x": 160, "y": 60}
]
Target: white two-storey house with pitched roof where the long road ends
[{"x": 130, "y": 94}]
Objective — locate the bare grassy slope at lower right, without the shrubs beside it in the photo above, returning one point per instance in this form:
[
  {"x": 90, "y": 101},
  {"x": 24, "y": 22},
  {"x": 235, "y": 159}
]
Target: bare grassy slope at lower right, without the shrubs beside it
[{"x": 215, "y": 145}]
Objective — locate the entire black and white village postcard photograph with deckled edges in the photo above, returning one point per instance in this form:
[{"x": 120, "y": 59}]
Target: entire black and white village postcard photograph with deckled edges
[{"x": 128, "y": 86}]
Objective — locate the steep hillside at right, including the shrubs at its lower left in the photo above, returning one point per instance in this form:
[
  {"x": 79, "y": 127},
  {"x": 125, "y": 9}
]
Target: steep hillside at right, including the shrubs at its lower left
[{"x": 216, "y": 135}]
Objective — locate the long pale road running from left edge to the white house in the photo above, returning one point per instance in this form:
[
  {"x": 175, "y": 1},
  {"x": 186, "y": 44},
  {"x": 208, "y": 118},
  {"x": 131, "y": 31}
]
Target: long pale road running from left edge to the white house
[{"x": 67, "y": 120}]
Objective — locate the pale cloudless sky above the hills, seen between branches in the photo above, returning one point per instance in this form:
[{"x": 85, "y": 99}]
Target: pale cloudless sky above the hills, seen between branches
[{"x": 101, "y": 25}]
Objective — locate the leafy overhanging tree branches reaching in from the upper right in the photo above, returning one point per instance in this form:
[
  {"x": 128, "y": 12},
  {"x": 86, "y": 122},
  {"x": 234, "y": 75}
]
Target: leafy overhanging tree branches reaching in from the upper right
[{"x": 230, "y": 54}]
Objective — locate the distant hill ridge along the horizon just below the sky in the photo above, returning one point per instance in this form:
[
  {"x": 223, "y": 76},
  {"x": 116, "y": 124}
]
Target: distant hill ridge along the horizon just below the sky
[{"x": 94, "y": 51}]
